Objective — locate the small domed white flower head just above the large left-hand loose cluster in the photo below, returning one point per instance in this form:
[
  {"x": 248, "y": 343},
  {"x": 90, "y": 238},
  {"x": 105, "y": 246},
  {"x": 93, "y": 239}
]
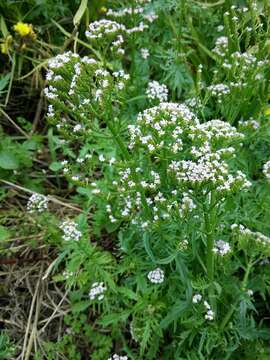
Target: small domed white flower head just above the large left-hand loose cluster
[{"x": 100, "y": 28}]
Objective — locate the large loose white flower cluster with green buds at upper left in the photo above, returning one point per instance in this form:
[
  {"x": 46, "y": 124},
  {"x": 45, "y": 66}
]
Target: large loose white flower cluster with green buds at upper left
[{"x": 84, "y": 85}]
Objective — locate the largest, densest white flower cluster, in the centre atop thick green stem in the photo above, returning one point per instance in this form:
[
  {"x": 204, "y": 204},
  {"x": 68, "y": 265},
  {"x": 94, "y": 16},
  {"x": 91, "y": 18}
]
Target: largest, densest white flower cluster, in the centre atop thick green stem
[{"x": 173, "y": 129}]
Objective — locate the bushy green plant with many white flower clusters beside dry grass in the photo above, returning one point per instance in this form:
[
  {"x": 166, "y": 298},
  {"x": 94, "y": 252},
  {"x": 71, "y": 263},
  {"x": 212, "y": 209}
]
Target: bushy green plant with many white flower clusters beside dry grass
[{"x": 161, "y": 138}]
